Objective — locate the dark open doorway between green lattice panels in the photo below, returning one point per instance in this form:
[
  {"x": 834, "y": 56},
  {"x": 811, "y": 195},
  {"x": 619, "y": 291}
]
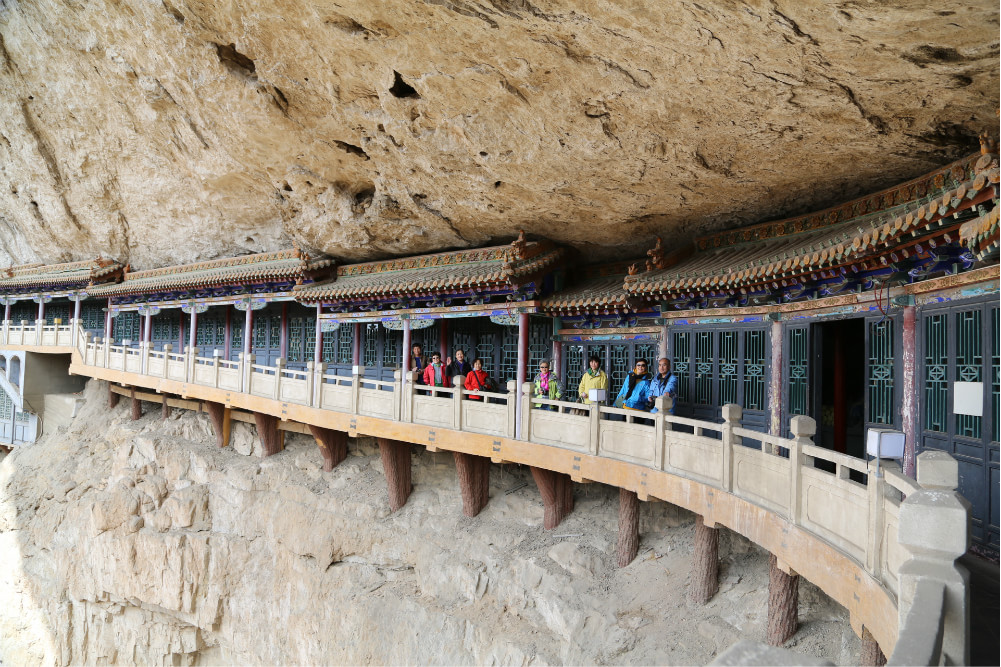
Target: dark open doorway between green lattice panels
[{"x": 840, "y": 389}]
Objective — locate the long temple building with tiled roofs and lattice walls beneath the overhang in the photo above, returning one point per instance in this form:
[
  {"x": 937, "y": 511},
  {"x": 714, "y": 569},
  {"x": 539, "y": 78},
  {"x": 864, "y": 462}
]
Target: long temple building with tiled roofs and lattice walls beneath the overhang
[{"x": 881, "y": 313}]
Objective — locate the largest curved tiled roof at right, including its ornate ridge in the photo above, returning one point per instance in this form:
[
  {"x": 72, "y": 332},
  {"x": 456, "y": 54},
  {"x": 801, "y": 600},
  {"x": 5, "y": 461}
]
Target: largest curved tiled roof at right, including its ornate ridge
[{"x": 880, "y": 230}]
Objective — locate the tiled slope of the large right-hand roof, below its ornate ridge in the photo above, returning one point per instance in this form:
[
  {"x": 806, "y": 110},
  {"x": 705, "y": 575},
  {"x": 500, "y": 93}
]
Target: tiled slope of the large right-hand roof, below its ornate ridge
[{"x": 760, "y": 261}]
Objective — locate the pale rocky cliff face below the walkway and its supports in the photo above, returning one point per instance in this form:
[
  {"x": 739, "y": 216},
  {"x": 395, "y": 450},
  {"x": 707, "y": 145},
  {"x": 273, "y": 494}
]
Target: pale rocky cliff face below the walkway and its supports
[{"x": 141, "y": 542}]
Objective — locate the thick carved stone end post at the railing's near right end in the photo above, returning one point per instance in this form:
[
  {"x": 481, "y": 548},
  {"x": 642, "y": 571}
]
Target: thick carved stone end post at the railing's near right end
[{"x": 933, "y": 525}]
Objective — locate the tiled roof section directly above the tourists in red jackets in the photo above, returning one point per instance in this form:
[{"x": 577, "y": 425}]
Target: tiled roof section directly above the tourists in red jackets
[{"x": 500, "y": 268}]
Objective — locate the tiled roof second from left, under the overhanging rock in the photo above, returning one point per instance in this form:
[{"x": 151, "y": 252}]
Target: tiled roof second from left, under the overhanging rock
[{"x": 251, "y": 269}]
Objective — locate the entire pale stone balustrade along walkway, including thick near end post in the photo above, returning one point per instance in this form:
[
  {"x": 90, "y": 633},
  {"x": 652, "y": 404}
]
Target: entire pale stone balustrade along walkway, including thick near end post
[{"x": 906, "y": 547}]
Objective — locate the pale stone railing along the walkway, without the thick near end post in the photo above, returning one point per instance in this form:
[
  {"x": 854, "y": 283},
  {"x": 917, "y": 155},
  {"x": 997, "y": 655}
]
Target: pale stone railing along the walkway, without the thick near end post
[{"x": 837, "y": 498}]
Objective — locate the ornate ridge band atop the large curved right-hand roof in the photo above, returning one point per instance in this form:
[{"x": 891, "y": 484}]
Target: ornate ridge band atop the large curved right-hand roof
[{"x": 875, "y": 203}]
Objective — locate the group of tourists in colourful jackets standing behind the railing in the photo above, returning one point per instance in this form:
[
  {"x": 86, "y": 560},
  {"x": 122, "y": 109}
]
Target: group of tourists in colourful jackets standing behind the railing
[{"x": 640, "y": 391}]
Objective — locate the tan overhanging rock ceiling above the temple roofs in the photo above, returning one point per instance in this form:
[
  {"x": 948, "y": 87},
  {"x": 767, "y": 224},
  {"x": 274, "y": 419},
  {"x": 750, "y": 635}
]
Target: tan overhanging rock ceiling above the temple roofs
[{"x": 368, "y": 130}]
